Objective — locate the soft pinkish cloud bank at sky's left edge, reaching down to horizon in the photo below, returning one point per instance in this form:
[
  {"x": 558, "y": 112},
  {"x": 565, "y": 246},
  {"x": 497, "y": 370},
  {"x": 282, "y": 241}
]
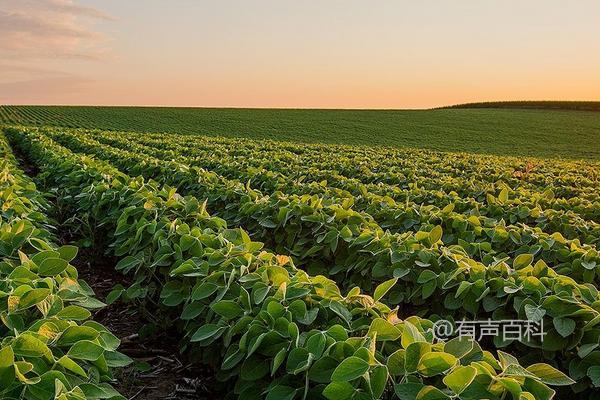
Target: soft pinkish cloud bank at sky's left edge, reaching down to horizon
[{"x": 46, "y": 32}]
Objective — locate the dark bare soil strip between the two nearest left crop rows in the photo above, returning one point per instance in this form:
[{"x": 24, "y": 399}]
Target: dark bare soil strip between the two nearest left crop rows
[{"x": 159, "y": 370}]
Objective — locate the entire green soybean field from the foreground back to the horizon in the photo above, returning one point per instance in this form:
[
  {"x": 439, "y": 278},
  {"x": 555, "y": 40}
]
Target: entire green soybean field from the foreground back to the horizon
[{"x": 274, "y": 269}]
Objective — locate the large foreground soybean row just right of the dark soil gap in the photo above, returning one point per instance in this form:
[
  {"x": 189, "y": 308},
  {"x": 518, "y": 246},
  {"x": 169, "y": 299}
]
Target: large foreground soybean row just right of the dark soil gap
[{"x": 278, "y": 332}]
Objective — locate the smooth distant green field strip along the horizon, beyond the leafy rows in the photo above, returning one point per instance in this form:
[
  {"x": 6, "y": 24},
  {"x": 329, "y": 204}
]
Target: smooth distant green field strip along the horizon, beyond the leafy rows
[{"x": 547, "y": 133}]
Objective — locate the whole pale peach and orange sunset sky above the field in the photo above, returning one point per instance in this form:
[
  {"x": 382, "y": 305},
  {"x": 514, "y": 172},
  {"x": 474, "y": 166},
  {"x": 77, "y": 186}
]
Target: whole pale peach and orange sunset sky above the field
[{"x": 308, "y": 54}]
